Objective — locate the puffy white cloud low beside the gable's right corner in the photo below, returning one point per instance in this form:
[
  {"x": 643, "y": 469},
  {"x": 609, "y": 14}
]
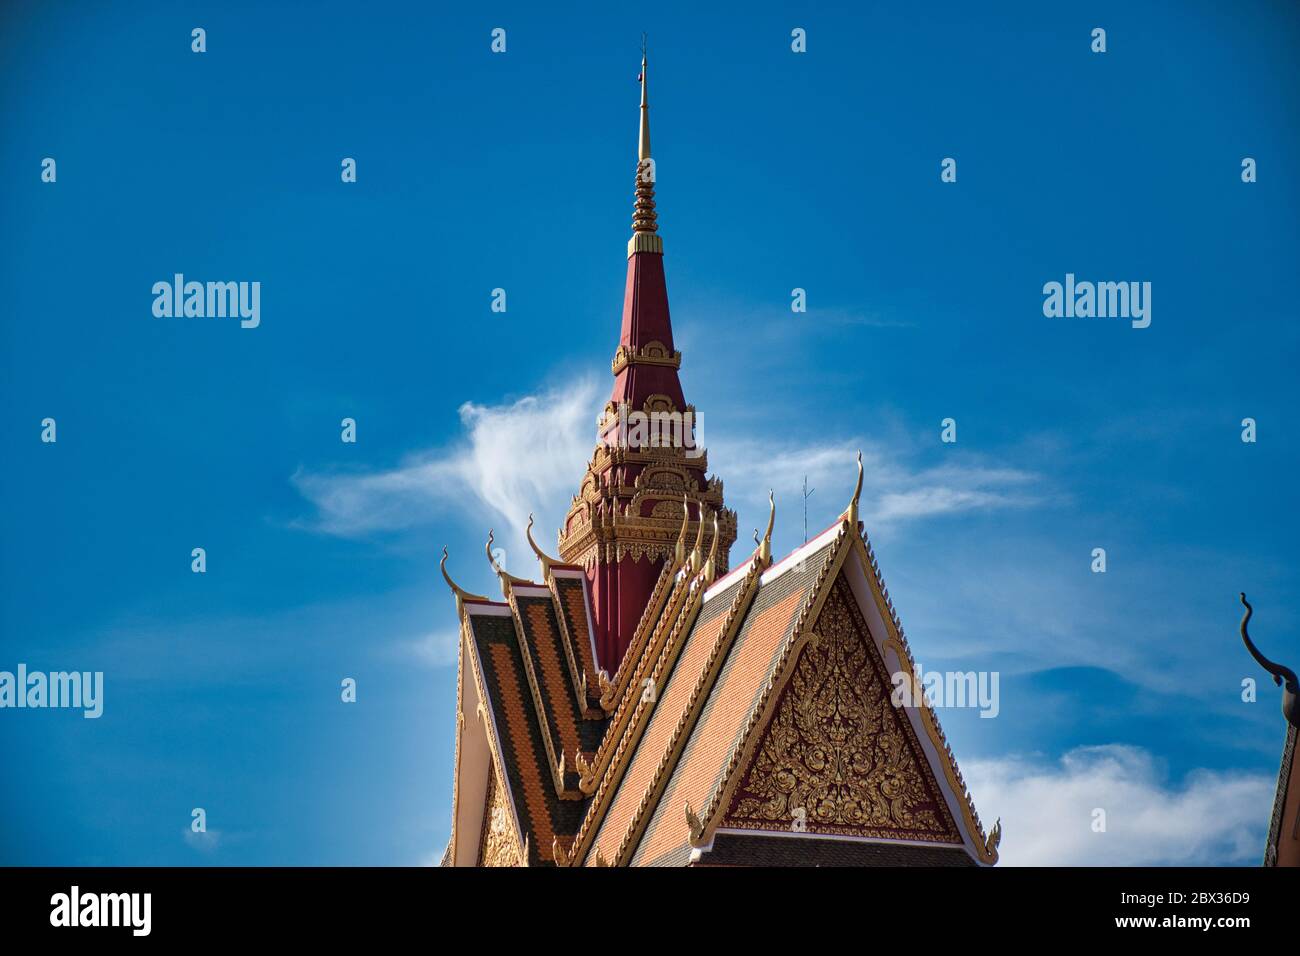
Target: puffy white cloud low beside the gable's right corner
[{"x": 1047, "y": 811}]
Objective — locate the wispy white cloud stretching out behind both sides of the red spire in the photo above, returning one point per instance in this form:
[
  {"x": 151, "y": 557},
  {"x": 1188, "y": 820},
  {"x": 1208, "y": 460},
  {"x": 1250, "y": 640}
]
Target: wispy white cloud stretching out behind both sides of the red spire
[{"x": 528, "y": 456}]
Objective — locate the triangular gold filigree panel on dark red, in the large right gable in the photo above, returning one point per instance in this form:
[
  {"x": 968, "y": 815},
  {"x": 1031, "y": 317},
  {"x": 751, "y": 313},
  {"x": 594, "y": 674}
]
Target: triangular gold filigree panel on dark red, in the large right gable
[{"x": 837, "y": 756}]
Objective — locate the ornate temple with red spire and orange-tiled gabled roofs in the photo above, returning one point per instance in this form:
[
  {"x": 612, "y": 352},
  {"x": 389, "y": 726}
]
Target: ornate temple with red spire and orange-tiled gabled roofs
[{"x": 644, "y": 704}]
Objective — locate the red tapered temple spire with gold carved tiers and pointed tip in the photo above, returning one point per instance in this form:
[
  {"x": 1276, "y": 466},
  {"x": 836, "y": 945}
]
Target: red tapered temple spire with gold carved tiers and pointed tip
[{"x": 627, "y": 516}]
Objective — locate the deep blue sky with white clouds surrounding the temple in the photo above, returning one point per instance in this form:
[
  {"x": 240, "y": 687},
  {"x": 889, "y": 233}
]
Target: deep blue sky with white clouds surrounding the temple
[{"x": 777, "y": 171}]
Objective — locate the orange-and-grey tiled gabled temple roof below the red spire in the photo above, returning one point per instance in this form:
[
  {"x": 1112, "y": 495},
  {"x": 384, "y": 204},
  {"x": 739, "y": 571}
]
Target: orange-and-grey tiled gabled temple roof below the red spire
[{"x": 683, "y": 762}]
